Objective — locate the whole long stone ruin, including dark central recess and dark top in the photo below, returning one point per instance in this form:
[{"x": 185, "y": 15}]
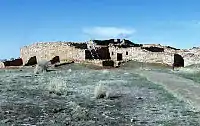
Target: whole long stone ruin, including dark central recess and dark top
[{"x": 96, "y": 50}]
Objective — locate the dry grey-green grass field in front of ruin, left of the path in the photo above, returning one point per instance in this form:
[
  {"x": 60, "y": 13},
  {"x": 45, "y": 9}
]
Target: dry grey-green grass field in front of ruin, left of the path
[{"x": 66, "y": 97}]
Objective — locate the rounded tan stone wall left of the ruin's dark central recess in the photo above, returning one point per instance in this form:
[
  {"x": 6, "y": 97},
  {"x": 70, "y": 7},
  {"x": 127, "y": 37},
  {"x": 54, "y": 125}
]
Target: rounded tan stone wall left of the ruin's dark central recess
[{"x": 47, "y": 51}]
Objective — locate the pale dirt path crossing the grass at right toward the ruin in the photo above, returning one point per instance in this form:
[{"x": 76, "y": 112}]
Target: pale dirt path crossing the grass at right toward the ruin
[{"x": 184, "y": 89}]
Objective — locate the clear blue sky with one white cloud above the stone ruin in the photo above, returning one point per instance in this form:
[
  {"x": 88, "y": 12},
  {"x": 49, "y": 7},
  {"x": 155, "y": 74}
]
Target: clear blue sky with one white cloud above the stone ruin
[{"x": 169, "y": 22}]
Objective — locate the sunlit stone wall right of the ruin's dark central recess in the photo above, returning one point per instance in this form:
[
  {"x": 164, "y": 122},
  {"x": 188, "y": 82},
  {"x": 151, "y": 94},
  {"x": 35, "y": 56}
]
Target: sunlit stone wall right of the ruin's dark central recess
[{"x": 191, "y": 56}]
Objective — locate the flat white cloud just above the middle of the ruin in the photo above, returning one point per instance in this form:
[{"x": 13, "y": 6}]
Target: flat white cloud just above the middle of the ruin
[{"x": 109, "y": 32}]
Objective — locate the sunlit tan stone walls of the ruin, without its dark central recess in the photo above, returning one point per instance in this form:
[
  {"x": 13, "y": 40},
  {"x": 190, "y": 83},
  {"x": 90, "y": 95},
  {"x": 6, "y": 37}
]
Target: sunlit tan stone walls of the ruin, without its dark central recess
[{"x": 76, "y": 52}]
